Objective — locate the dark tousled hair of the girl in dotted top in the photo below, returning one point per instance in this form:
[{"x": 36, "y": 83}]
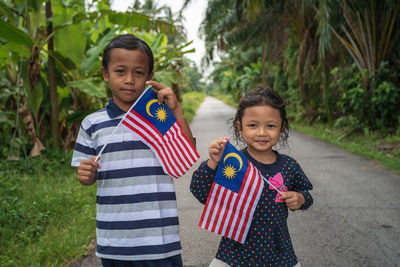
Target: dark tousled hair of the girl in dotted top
[{"x": 259, "y": 96}]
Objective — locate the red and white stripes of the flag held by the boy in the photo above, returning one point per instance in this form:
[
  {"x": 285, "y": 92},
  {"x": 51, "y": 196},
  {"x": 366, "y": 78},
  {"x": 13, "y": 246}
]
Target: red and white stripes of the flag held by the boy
[{"x": 174, "y": 151}]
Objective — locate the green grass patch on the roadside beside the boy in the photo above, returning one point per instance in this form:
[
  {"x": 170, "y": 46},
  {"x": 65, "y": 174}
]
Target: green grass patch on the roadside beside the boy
[{"x": 47, "y": 218}]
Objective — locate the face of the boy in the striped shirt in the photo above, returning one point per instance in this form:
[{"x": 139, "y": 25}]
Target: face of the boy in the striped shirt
[{"x": 128, "y": 71}]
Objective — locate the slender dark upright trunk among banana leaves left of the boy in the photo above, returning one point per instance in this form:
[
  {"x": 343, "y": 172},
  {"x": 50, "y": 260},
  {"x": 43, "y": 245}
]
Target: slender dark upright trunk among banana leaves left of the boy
[{"x": 51, "y": 77}]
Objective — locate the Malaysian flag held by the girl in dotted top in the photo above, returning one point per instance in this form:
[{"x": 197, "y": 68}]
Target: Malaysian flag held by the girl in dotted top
[{"x": 233, "y": 196}]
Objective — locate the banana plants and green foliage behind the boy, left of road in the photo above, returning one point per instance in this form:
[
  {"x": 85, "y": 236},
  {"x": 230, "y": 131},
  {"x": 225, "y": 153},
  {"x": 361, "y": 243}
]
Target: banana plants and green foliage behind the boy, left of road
[{"x": 50, "y": 61}]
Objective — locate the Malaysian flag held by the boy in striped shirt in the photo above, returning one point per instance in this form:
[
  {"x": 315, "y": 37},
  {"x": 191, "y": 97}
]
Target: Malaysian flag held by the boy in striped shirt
[{"x": 159, "y": 129}]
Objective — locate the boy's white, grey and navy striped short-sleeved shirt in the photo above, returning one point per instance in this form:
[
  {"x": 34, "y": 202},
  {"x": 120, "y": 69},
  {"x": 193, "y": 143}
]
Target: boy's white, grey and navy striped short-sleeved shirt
[{"x": 137, "y": 215}]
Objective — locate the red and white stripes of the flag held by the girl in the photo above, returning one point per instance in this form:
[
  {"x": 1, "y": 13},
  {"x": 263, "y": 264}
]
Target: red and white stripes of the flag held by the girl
[{"x": 228, "y": 213}]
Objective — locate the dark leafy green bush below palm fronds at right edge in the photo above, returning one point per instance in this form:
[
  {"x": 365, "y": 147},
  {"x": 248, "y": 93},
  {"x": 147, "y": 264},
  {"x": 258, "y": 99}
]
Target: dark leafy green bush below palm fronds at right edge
[{"x": 373, "y": 105}]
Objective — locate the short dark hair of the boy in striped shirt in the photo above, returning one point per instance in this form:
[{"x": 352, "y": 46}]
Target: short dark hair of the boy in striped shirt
[{"x": 129, "y": 42}]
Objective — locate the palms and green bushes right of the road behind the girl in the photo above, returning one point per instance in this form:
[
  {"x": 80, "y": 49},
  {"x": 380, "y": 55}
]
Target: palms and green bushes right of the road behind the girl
[{"x": 335, "y": 62}]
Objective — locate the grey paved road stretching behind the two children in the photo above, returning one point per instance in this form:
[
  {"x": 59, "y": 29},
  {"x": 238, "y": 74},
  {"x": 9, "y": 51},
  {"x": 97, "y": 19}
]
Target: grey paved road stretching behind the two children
[{"x": 355, "y": 219}]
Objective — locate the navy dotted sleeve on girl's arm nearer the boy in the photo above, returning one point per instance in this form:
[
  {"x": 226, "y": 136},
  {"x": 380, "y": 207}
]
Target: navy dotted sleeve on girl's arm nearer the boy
[{"x": 201, "y": 183}]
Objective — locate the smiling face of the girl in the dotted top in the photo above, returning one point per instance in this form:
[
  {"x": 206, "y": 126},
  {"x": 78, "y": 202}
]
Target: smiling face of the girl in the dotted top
[{"x": 260, "y": 129}]
